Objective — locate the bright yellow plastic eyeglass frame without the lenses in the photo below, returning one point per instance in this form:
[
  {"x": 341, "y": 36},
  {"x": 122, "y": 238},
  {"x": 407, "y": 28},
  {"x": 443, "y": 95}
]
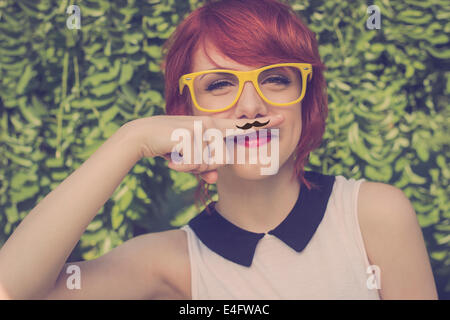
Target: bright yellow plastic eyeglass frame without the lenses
[{"x": 243, "y": 77}]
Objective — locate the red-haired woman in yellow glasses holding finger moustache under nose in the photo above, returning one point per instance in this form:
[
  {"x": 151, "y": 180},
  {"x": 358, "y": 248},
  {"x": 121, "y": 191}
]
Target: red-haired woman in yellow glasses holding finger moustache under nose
[{"x": 287, "y": 235}]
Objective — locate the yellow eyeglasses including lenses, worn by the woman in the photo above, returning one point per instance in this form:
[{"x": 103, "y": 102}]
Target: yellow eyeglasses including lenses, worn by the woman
[{"x": 218, "y": 90}]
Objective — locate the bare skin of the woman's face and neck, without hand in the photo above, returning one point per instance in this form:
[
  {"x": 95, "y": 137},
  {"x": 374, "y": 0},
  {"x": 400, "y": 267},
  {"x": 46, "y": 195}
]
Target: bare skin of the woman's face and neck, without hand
[{"x": 252, "y": 201}]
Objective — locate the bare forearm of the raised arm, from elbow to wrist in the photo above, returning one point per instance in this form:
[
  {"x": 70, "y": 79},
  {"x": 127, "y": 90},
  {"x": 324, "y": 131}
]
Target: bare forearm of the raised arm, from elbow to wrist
[{"x": 33, "y": 256}]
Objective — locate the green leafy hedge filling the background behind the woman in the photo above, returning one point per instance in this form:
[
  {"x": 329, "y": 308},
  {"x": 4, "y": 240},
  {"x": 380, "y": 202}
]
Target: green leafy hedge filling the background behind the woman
[{"x": 63, "y": 92}]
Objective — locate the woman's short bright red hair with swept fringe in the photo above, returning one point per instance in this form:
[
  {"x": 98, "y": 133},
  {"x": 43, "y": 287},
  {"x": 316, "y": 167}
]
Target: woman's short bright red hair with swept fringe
[{"x": 251, "y": 32}]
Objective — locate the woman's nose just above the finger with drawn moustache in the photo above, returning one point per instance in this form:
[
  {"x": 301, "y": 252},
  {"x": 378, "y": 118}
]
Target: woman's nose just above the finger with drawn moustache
[{"x": 250, "y": 104}]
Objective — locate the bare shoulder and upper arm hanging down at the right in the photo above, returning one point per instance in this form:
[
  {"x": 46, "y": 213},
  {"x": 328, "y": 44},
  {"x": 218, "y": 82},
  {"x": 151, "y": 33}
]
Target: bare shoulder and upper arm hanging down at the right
[{"x": 394, "y": 242}]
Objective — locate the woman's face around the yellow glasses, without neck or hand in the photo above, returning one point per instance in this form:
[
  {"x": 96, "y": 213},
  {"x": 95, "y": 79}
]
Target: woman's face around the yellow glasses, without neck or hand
[{"x": 249, "y": 106}]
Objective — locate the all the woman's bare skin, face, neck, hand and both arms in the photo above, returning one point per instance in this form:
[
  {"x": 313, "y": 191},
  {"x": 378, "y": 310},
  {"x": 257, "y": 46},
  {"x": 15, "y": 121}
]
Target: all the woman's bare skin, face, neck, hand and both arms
[{"x": 156, "y": 265}]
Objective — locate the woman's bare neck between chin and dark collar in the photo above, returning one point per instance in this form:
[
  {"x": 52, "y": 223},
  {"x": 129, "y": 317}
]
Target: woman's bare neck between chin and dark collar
[{"x": 257, "y": 205}]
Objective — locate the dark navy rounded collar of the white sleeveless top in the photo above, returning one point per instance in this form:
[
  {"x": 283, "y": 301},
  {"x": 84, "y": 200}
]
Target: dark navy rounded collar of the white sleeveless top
[{"x": 296, "y": 230}]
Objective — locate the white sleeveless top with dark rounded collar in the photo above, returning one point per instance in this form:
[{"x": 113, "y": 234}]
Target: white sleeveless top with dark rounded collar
[{"x": 317, "y": 252}]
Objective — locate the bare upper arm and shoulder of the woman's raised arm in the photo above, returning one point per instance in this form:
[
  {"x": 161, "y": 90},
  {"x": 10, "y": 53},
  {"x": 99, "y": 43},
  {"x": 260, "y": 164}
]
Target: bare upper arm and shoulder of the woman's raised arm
[{"x": 149, "y": 266}]
